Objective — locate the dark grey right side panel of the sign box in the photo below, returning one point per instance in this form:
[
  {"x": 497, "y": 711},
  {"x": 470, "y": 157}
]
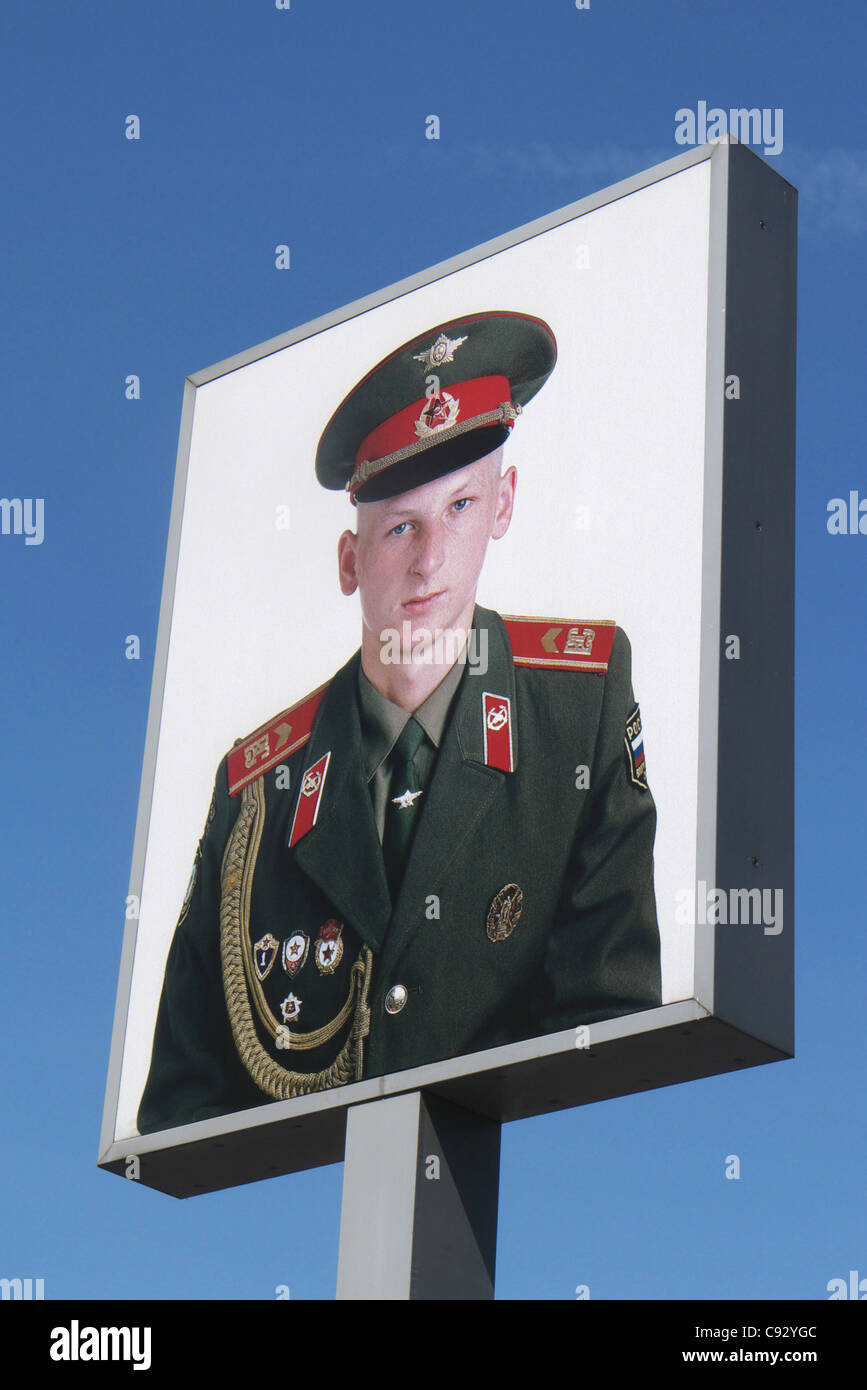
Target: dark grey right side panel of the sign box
[{"x": 754, "y": 986}]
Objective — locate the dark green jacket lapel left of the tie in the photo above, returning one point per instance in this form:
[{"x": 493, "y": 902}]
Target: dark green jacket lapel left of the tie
[{"x": 342, "y": 853}]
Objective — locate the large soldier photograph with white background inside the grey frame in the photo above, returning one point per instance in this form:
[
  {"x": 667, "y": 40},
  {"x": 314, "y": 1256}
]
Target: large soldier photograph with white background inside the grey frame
[{"x": 437, "y": 632}]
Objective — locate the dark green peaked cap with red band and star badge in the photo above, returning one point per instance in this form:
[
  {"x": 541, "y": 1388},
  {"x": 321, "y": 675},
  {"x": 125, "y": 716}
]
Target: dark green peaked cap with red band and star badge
[{"x": 440, "y": 402}]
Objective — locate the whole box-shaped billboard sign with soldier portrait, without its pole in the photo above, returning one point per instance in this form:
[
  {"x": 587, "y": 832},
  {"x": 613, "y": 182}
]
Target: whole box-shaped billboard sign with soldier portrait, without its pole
[{"x": 473, "y": 698}]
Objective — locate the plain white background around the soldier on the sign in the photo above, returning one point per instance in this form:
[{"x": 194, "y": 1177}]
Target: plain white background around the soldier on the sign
[{"x": 611, "y": 459}]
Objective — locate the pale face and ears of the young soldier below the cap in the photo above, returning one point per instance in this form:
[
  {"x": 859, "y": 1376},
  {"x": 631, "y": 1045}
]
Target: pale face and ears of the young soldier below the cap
[{"x": 418, "y": 558}]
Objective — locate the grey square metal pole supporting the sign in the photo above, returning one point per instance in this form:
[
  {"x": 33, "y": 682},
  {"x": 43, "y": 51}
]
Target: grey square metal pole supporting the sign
[{"x": 420, "y": 1202}]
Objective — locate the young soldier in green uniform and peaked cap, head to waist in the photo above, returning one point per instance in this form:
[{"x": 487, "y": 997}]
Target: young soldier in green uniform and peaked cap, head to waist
[{"x": 447, "y": 846}]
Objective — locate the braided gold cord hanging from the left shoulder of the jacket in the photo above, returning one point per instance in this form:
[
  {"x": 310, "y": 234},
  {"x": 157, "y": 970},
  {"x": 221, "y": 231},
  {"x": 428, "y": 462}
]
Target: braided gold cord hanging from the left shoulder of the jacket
[{"x": 279, "y": 1082}]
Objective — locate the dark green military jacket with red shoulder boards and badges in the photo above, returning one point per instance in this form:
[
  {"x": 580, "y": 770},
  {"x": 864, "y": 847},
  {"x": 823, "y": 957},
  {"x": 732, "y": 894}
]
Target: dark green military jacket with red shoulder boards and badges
[{"x": 527, "y": 904}]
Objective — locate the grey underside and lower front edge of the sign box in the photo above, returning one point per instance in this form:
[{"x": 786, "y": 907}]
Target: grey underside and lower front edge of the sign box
[{"x": 663, "y": 1047}]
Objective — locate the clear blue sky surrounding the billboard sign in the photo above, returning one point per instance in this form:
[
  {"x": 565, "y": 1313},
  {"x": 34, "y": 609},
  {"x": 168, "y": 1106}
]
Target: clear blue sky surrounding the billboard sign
[{"x": 156, "y": 258}]
